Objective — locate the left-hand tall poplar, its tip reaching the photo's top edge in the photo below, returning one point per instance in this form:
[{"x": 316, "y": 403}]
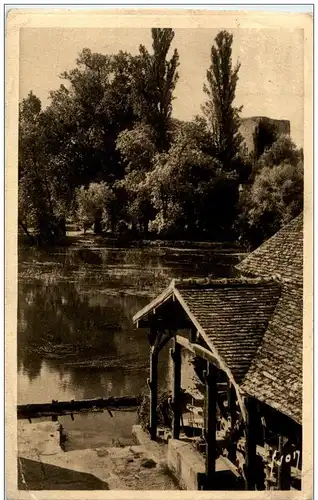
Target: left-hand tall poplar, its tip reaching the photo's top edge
[{"x": 153, "y": 83}]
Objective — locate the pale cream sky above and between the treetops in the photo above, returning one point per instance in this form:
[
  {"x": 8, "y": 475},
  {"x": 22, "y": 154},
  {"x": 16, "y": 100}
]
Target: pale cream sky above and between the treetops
[{"x": 271, "y": 77}]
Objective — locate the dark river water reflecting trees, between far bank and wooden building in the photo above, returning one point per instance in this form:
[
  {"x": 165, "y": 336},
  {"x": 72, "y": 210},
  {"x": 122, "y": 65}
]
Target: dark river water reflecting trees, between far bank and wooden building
[{"x": 76, "y": 338}]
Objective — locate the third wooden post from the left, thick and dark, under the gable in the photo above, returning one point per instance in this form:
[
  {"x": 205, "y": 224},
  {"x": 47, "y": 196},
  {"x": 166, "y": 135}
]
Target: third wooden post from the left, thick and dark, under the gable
[{"x": 210, "y": 424}]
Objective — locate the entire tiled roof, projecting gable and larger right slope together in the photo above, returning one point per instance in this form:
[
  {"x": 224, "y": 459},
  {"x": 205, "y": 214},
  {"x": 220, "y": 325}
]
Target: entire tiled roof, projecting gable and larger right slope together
[{"x": 254, "y": 324}]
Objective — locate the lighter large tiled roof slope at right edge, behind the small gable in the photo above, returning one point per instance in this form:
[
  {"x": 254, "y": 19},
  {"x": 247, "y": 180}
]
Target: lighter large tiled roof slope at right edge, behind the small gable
[{"x": 275, "y": 375}]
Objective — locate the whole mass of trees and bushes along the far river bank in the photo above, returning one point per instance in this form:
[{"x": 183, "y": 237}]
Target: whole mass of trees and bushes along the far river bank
[{"x": 107, "y": 154}]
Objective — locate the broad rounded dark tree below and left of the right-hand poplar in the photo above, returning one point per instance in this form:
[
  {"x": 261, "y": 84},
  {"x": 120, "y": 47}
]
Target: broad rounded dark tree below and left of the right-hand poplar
[{"x": 191, "y": 194}]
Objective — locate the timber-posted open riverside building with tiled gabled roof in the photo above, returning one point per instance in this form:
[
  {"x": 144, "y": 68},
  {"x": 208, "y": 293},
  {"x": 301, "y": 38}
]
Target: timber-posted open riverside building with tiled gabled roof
[{"x": 245, "y": 334}]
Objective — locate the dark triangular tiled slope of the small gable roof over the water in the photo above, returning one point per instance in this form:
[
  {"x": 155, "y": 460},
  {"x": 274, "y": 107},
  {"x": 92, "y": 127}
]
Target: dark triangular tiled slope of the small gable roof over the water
[{"x": 234, "y": 317}]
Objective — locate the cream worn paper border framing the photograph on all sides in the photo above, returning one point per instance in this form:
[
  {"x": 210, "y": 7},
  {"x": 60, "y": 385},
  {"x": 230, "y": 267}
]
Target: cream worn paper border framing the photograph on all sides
[{"x": 144, "y": 18}]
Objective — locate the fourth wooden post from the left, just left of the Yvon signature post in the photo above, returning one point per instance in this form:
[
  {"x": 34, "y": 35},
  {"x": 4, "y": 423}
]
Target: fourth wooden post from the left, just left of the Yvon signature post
[{"x": 250, "y": 444}]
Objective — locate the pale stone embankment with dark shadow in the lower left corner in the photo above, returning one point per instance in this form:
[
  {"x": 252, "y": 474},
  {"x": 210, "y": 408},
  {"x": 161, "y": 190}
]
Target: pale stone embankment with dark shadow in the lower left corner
[{"x": 43, "y": 465}]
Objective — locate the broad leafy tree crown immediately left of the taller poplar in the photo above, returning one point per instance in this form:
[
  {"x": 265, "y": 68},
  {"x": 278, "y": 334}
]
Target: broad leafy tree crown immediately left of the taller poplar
[{"x": 88, "y": 112}]
